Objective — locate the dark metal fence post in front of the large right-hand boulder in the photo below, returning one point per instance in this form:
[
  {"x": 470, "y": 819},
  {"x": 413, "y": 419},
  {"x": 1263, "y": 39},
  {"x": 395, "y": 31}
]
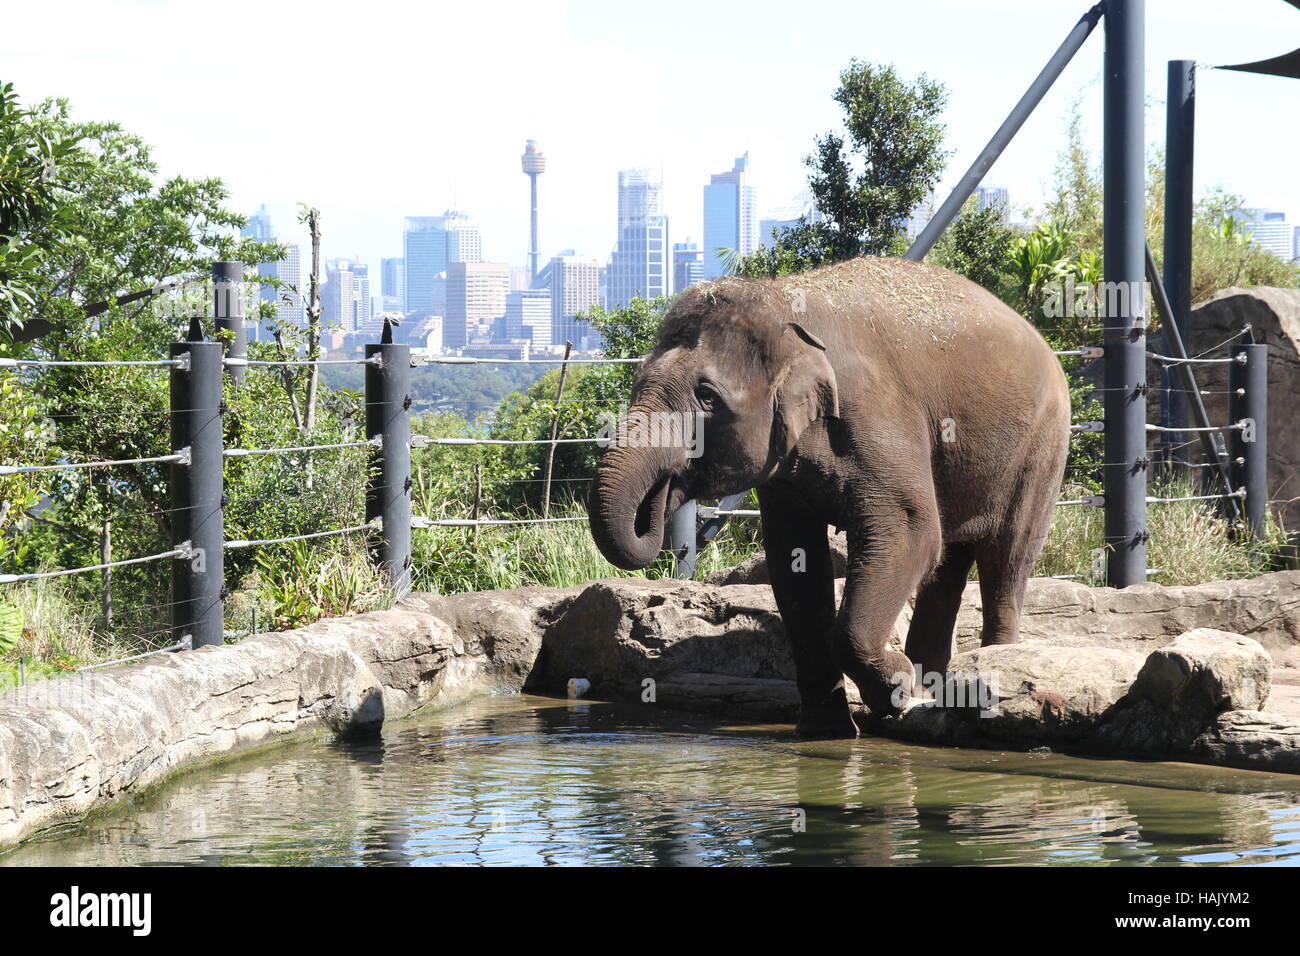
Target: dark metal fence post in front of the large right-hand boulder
[{"x": 1249, "y": 405}]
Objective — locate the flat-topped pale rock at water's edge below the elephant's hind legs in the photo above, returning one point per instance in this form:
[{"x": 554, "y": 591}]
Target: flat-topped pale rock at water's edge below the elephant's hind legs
[{"x": 1022, "y": 694}]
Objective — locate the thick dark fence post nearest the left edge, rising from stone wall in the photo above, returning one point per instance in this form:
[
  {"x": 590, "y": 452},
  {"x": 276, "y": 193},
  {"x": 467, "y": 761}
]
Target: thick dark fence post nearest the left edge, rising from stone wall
[{"x": 198, "y": 579}]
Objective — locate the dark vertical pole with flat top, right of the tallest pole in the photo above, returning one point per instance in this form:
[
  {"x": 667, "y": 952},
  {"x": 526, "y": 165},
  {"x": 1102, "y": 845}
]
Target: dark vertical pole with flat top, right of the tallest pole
[{"x": 1180, "y": 141}]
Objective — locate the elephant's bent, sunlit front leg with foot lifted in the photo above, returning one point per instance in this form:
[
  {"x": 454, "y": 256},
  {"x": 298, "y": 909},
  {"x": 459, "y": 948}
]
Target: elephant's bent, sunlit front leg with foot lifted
[{"x": 889, "y": 556}]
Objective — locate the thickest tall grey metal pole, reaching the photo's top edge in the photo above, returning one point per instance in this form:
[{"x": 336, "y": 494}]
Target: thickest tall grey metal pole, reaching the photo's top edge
[{"x": 1124, "y": 183}]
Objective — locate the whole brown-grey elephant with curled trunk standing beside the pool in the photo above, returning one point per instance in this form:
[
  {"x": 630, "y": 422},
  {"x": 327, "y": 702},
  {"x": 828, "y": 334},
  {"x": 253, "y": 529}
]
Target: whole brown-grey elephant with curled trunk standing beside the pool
[{"x": 890, "y": 399}]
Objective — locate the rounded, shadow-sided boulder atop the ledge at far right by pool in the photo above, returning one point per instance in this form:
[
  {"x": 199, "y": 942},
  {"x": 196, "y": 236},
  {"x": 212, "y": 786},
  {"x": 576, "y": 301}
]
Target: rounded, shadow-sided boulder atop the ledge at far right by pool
[{"x": 1204, "y": 673}]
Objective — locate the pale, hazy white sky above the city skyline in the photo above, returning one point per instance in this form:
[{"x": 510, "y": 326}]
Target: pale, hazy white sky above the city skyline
[{"x": 372, "y": 111}]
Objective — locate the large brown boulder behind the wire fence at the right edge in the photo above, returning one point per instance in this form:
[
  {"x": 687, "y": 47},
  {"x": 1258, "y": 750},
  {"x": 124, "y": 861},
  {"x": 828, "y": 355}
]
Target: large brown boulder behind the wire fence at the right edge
[{"x": 1275, "y": 319}]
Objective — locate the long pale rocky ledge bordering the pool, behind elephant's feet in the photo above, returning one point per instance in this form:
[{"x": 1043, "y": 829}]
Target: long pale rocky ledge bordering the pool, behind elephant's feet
[{"x": 1171, "y": 673}]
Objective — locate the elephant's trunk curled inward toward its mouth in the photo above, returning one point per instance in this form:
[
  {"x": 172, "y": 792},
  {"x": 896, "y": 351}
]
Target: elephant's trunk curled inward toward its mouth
[{"x": 632, "y": 495}]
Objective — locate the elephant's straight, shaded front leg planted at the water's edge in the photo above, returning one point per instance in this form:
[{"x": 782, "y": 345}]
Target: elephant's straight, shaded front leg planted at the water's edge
[{"x": 799, "y": 563}]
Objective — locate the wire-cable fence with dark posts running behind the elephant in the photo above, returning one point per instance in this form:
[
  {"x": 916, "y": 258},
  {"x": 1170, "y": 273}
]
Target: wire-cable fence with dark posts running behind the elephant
[{"x": 389, "y": 443}]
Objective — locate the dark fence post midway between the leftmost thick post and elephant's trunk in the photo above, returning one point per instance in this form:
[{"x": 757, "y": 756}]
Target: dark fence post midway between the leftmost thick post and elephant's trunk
[{"x": 388, "y": 495}]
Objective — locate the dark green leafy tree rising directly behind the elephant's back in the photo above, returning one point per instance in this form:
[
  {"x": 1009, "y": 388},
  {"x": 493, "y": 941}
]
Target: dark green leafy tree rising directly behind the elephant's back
[{"x": 868, "y": 180}]
